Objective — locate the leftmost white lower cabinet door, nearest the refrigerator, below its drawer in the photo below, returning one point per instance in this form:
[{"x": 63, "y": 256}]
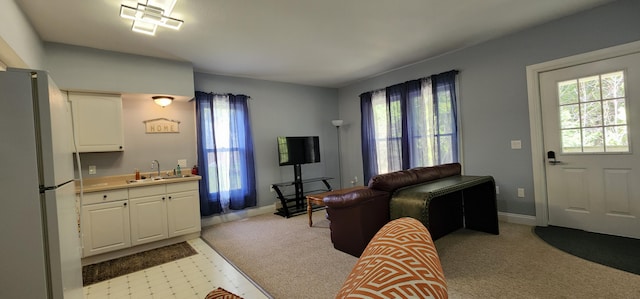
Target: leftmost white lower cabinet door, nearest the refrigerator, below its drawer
[{"x": 105, "y": 227}]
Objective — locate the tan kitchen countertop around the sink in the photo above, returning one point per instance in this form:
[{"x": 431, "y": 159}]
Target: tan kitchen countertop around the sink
[{"x": 120, "y": 182}]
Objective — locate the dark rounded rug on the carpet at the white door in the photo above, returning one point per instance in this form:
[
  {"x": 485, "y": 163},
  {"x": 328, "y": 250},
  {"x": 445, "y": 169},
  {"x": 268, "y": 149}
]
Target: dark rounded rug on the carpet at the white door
[{"x": 613, "y": 251}]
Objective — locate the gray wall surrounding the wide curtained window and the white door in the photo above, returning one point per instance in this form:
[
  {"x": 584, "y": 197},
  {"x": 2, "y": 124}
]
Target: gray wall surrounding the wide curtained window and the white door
[{"x": 493, "y": 93}]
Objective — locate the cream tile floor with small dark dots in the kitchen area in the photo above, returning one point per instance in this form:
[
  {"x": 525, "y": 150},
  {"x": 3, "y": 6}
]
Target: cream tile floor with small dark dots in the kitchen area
[{"x": 191, "y": 277}]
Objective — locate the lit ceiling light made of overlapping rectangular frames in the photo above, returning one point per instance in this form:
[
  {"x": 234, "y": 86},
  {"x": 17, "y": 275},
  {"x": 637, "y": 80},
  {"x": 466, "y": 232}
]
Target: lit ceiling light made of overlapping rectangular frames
[{"x": 148, "y": 15}]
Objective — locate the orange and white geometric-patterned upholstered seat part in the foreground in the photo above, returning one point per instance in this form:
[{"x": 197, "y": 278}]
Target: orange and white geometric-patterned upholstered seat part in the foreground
[{"x": 400, "y": 261}]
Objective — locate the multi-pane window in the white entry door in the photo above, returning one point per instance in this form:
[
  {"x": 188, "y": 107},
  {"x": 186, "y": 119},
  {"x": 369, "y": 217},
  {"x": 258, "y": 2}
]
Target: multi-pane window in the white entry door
[{"x": 593, "y": 115}]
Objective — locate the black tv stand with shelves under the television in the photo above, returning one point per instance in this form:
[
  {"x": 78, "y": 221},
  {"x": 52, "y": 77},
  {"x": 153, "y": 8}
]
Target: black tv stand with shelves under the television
[{"x": 294, "y": 204}]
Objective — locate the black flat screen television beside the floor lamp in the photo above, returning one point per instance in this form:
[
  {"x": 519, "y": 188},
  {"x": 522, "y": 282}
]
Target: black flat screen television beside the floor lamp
[{"x": 298, "y": 150}]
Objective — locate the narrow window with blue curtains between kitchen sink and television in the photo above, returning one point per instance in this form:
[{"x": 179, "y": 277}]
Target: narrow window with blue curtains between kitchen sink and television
[{"x": 225, "y": 153}]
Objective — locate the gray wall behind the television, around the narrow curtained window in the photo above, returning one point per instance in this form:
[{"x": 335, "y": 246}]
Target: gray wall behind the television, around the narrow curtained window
[{"x": 278, "y": 109}]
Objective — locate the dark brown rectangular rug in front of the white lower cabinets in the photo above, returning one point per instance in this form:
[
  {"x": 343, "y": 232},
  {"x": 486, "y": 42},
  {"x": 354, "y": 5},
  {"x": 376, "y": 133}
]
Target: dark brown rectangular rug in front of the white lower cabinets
[{"x": 128, "y": 264}]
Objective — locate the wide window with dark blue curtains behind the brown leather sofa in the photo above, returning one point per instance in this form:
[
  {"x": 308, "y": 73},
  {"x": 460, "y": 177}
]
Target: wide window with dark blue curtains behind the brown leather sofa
[{"x": 409, "y": 125}]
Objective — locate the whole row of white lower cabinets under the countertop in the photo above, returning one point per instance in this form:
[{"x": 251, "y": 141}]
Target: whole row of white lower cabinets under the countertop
[{"x": 147, "y": 214}]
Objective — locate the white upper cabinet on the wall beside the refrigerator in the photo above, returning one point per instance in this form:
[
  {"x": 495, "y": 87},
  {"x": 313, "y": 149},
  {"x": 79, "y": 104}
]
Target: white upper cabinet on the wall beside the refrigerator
[{"x": 97, "y": 122}]
